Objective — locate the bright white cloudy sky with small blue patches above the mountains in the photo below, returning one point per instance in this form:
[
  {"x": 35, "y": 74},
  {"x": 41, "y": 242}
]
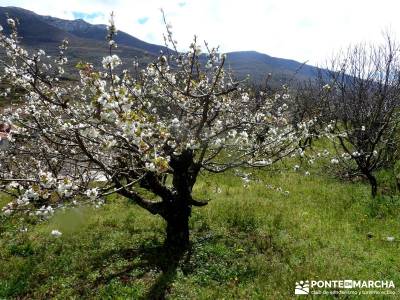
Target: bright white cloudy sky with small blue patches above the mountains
[{"x": 307, "y": 30}]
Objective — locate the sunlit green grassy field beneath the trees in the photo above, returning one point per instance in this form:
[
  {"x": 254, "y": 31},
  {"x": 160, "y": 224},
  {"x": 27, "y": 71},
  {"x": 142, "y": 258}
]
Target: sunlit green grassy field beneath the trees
[{"x": 248, "y": 243}]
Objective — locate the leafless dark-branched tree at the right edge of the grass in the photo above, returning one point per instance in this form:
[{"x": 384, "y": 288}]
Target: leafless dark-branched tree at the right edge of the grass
[{"x": 362, "y": 94}]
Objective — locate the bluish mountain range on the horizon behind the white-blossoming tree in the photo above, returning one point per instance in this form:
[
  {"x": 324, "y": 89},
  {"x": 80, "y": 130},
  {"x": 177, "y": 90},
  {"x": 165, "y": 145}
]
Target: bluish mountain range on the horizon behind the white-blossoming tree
[{"x": 87, "y": 42}]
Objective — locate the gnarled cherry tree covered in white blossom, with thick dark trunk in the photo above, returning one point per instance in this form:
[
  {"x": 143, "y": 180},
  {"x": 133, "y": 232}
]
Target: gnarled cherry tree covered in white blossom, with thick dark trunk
[{"x": 131, "y": 133}]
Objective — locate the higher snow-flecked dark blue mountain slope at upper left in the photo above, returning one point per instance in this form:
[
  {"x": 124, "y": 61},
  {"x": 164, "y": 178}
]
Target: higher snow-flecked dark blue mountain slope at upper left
[{"x": 42, "y": 32}]
